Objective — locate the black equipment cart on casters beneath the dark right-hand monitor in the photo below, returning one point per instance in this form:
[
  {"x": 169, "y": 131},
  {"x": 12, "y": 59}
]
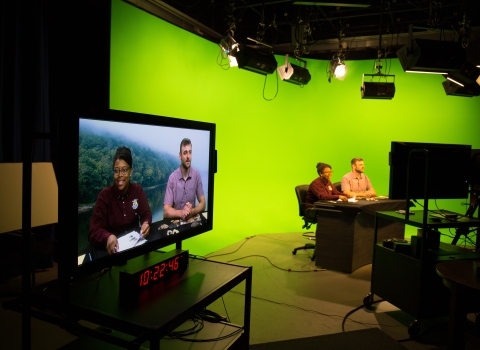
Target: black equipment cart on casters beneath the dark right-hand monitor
[{"x": 410, "y": 281}]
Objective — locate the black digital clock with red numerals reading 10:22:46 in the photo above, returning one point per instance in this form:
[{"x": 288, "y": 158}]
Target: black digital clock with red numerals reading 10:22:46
[{"x": 151, "y": 268}]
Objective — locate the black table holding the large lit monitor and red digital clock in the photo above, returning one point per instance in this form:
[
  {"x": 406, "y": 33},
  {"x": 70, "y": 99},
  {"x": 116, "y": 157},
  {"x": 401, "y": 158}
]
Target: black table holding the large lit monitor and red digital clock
[{"x": 148, "y": 315}]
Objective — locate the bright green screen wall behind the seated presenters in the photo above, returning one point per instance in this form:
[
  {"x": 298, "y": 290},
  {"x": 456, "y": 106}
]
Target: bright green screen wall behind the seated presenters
[{"x": 266, "y": 148}]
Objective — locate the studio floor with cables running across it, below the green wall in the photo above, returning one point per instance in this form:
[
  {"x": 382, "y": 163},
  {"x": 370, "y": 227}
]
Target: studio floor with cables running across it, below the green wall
[{"x": 291, "y": 298}]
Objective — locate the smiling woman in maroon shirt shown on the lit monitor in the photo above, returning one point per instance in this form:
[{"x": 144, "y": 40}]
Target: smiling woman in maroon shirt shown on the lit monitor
[{"x": 120, "y": 207}]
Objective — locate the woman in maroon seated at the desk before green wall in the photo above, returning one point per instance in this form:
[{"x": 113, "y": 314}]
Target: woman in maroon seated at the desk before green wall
[{"x": 321, "y": 188}]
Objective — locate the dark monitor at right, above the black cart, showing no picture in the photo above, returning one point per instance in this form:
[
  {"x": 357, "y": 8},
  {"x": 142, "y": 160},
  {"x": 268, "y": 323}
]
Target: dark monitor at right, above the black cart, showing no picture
[{"x": 448, "y": 170}]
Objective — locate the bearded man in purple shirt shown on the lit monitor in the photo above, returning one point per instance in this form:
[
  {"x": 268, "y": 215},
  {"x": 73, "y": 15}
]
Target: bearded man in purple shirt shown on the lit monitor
[{"x": 183, "y": 187}]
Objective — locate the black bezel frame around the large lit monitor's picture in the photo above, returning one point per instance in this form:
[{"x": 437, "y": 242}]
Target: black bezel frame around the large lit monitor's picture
[{"x": 68, "y": 189}]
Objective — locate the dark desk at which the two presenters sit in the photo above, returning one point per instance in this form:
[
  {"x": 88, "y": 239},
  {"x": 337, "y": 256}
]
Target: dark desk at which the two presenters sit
[{"x": 345, "y": 232}]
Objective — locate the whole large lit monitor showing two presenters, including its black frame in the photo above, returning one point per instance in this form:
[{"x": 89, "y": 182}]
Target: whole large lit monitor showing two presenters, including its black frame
[{"x": 117, "y": 194}]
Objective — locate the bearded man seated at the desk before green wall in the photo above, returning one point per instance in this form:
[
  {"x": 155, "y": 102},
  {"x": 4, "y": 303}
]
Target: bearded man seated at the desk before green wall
[{"x": 356, "y": 183}]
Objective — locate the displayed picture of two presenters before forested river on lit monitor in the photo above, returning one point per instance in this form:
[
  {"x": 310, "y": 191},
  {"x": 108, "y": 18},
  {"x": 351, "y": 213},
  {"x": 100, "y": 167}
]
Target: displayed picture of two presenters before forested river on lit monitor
[{"x": 116, "y": 195}]
